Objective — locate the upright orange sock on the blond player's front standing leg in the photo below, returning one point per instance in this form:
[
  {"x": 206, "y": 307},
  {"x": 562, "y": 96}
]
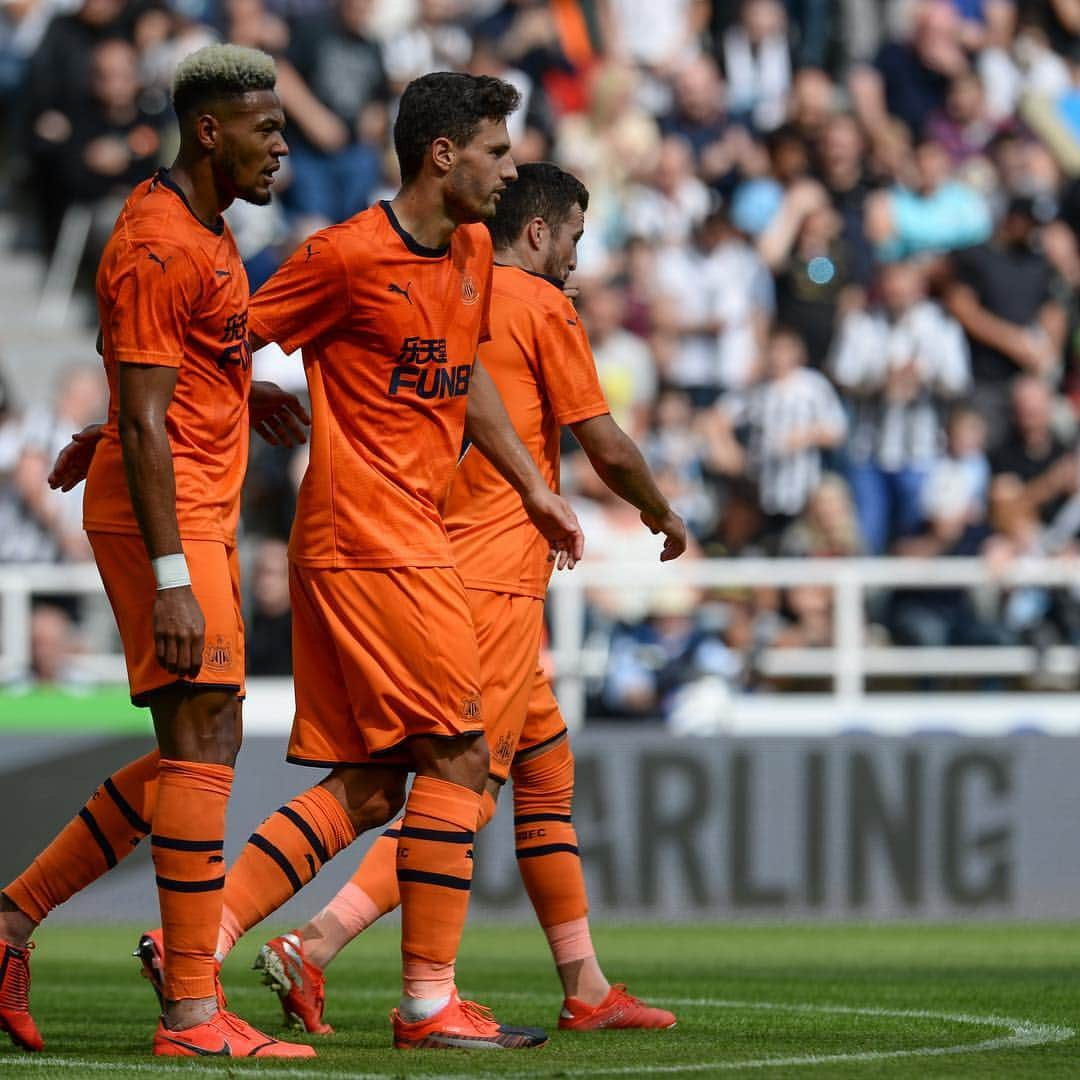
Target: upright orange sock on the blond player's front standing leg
[{"x": 188, "y": 848}]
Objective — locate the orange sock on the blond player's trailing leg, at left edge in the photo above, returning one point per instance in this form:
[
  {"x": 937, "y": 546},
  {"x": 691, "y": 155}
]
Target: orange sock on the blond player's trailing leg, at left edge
[{"x": 106, "y": 831}]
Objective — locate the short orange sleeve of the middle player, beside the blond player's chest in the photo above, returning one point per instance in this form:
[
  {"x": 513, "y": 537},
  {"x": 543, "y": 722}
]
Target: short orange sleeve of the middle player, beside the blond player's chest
[{"x": 307, "y": 296}]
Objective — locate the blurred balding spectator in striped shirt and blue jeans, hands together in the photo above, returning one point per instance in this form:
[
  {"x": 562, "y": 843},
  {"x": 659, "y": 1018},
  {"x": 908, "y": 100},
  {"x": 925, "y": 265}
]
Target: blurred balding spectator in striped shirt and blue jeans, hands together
[{"x": 899, "y": 364}]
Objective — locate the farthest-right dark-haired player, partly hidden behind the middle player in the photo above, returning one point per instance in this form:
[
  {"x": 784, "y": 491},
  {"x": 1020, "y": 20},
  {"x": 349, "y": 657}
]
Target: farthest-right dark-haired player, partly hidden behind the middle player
[{"x": 541, "y": 360}]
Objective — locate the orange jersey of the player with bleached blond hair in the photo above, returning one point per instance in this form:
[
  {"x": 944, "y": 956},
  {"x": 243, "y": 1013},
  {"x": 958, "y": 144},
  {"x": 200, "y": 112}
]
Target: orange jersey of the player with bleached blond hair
[{"x": 172, "y": 292}]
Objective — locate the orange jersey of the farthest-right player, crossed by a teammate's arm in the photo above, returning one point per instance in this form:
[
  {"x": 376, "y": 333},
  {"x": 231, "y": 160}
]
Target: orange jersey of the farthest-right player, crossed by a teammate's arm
[{"x": 541, "y": 360}]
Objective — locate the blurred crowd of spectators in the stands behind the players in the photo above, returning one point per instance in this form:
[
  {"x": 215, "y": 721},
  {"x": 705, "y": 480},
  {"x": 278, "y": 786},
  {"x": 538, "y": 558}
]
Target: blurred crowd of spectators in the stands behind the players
[{"x": 830, "y": 274}]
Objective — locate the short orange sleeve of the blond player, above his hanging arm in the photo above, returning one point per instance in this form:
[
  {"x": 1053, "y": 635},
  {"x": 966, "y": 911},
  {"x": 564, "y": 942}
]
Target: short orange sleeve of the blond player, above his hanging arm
[{"x": 158, "y": 291}]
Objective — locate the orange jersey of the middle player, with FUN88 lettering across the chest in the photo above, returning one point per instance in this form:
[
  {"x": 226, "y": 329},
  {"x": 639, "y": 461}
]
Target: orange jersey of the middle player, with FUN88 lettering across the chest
[{"x": 389, "y": 331}]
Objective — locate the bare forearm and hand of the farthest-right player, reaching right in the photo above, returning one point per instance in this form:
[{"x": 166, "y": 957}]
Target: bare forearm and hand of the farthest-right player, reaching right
[{"x": 620, "y": 465}]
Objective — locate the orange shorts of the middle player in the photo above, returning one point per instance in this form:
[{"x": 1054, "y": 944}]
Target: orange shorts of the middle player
[{"x": 380, "y": 657}]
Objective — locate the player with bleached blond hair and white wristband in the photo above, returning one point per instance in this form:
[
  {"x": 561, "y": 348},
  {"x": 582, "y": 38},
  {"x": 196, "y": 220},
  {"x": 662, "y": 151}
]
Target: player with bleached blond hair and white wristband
[{"x": 161, "y": 508}]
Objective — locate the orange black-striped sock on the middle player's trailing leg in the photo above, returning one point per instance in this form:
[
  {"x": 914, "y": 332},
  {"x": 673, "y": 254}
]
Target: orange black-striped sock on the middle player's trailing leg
[{"x": 282, "y": 856}]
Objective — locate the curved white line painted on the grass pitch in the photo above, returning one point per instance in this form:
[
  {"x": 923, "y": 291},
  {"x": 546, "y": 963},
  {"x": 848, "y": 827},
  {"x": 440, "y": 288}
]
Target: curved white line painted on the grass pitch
[{"x": 1023, "y": 1034}]
